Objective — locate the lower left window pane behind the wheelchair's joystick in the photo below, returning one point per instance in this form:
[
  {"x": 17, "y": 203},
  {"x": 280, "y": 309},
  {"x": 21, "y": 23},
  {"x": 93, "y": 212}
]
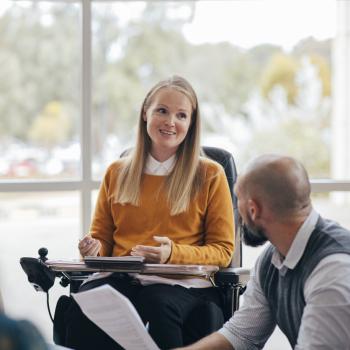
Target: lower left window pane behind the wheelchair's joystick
[{"x": 28, "y": 221}]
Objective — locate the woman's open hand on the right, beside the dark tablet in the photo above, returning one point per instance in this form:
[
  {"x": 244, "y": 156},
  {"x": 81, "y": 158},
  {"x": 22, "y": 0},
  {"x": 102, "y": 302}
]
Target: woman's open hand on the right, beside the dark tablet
[{"x": 154, "y": 255}]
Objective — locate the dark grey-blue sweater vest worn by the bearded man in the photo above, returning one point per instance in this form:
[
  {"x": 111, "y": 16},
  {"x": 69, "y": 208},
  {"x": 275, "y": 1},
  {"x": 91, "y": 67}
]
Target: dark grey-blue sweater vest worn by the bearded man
[{"x": 285, "y": 293}]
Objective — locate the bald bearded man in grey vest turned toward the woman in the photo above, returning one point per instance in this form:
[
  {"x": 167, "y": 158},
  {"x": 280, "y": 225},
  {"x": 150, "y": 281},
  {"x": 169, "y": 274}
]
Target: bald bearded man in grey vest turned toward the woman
[{"x": 301, "y": 282}]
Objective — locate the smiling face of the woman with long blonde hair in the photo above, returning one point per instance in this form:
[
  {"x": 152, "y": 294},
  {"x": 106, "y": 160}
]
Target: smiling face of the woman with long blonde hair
[{"x": 168, "y": 119}]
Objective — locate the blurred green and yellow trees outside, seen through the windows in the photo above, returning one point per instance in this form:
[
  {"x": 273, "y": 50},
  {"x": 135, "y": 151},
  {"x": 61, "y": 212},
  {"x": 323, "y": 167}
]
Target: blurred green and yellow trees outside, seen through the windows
[{"x": 40, "y": 75}]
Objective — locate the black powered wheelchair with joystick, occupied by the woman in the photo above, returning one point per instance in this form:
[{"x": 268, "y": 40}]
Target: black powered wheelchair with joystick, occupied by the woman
[{"x": 231, "y": 280}]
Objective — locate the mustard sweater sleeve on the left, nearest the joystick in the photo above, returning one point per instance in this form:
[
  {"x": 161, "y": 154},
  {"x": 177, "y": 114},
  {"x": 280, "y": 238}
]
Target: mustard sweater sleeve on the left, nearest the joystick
[{"x": 102, "y": 226}]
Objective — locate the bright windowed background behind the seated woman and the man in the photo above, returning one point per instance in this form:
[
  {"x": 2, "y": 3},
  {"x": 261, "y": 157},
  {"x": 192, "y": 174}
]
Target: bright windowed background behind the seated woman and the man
[{"x": 271, "y": 76}]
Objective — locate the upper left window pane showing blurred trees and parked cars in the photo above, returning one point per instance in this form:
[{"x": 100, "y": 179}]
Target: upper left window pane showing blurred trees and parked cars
[{"x": 40, "y": 89}]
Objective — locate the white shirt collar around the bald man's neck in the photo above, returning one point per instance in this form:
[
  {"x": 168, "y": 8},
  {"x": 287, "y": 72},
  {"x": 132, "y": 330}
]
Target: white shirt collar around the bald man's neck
[{"x": 298, "y": 246}]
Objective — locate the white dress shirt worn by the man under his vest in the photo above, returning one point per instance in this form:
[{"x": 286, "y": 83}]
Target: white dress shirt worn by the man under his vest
[{"x": 326, "y": 316}]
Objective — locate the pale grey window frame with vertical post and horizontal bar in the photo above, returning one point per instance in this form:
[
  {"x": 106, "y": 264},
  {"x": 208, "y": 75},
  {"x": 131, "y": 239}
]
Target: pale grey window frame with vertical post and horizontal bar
[{"x": 85, "y": 185}]
